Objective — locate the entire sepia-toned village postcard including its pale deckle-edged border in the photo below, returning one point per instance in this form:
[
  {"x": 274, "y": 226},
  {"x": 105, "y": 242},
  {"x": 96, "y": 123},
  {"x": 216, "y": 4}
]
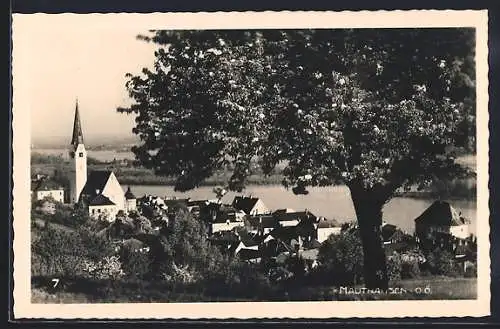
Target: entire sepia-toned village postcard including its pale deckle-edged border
[{"x": 251, "y": 164}]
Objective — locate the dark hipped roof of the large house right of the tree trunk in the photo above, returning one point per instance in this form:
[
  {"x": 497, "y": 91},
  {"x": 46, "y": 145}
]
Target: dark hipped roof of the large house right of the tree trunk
[{"x": 441, "y": 213}]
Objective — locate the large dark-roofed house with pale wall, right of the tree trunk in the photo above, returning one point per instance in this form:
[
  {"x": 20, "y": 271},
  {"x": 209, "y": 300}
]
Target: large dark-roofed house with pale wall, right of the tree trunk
[{"x": 441, "y": 217}]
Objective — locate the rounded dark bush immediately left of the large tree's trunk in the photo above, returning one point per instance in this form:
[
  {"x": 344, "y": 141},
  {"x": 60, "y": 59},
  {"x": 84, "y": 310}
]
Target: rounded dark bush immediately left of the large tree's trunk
[{"x": 341, "y": 258}]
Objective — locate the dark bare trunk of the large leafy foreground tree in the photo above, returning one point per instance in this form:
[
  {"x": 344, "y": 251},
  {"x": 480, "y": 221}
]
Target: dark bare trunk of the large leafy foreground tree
[{"x": 368, "y": 207}]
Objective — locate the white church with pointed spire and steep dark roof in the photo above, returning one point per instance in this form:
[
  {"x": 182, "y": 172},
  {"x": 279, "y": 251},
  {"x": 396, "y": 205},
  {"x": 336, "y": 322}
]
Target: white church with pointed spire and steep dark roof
[{"x": 99, "y": 191}]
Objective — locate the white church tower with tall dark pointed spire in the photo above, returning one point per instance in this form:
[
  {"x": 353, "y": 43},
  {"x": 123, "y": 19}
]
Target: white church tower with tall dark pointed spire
[{"x": 79, "y": 156}]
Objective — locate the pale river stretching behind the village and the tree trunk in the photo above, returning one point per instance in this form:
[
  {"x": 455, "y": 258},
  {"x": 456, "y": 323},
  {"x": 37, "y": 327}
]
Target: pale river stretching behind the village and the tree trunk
[{"x": 331, "y": 202}]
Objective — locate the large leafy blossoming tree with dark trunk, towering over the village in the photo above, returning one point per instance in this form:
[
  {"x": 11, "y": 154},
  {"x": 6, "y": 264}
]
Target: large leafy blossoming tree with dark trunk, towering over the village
[{"x": 375, "y": 109}]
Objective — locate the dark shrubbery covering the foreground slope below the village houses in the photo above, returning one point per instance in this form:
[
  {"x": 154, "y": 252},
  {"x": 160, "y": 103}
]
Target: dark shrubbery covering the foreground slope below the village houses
[{"x": 180, "y": 258}]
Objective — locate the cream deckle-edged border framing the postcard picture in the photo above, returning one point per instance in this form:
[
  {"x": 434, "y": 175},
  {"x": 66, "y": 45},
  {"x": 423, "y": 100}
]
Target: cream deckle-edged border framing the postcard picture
[{"x": 24, "y": 23}]
